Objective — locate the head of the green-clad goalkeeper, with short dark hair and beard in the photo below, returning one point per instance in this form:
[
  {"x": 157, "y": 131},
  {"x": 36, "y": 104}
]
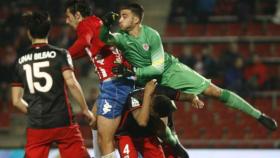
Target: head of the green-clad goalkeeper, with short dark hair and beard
[{"x": 130, "y": 16}]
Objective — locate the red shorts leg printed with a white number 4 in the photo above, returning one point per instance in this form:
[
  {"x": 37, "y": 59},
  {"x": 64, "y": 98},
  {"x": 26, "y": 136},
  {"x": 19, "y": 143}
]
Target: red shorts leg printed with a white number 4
[{"x": 126, "y": 147}]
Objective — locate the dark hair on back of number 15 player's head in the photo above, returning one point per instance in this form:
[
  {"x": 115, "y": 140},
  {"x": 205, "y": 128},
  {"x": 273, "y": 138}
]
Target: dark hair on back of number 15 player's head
[{"x": 38, "y": 23}]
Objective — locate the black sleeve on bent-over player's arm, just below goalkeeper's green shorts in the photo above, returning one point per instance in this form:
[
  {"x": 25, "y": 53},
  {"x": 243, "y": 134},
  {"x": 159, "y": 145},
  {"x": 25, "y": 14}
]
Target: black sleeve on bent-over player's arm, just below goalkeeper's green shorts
[{"x": 167, "y": 91}]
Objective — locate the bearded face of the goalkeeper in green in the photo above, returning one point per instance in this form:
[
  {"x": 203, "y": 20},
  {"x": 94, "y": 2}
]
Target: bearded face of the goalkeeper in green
[{"x": 127, "y": 20}]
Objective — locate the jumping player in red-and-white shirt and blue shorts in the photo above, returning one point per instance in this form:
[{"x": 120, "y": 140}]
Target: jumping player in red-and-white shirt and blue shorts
[{"x": 113, "y": 90}]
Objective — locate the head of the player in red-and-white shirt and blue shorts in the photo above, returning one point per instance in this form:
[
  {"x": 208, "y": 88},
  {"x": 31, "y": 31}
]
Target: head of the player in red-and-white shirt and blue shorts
[{"x": 76, "y": 11}]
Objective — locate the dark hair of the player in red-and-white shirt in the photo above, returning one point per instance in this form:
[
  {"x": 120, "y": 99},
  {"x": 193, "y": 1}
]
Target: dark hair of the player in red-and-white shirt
[{"x": 79, "y": 6}]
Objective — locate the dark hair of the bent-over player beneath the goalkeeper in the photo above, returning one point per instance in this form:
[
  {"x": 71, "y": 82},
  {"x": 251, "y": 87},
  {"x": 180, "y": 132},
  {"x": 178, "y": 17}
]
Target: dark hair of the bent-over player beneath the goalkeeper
[{"x": 163, "y": 105}]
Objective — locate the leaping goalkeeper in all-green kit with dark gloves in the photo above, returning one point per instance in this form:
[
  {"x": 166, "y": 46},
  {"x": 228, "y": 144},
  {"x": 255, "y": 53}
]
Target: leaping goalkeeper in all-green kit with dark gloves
[{"x": 142, "y": 47}]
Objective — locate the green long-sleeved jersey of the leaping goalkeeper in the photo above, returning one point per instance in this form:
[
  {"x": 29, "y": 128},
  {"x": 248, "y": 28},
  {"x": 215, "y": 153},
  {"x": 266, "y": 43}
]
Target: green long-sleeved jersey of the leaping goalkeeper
[{"x": 145, "y": 53}]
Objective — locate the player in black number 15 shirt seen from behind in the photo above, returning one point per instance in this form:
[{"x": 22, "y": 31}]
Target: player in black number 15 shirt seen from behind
[{"x": 41, "y": 77}]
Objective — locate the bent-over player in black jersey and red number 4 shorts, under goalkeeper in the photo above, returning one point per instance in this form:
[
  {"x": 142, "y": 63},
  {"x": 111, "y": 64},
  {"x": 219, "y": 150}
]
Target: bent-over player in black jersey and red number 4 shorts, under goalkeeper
[{"x": 141, "y": 123}]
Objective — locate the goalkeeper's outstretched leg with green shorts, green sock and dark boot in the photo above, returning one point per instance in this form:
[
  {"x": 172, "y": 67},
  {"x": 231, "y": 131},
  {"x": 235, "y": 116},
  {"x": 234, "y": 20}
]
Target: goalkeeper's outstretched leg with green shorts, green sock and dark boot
[{"x": 181, "y": 77}]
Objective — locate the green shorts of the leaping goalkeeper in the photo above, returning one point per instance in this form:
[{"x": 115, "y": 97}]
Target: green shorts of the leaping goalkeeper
[{"x": 181, "y": 77}]
